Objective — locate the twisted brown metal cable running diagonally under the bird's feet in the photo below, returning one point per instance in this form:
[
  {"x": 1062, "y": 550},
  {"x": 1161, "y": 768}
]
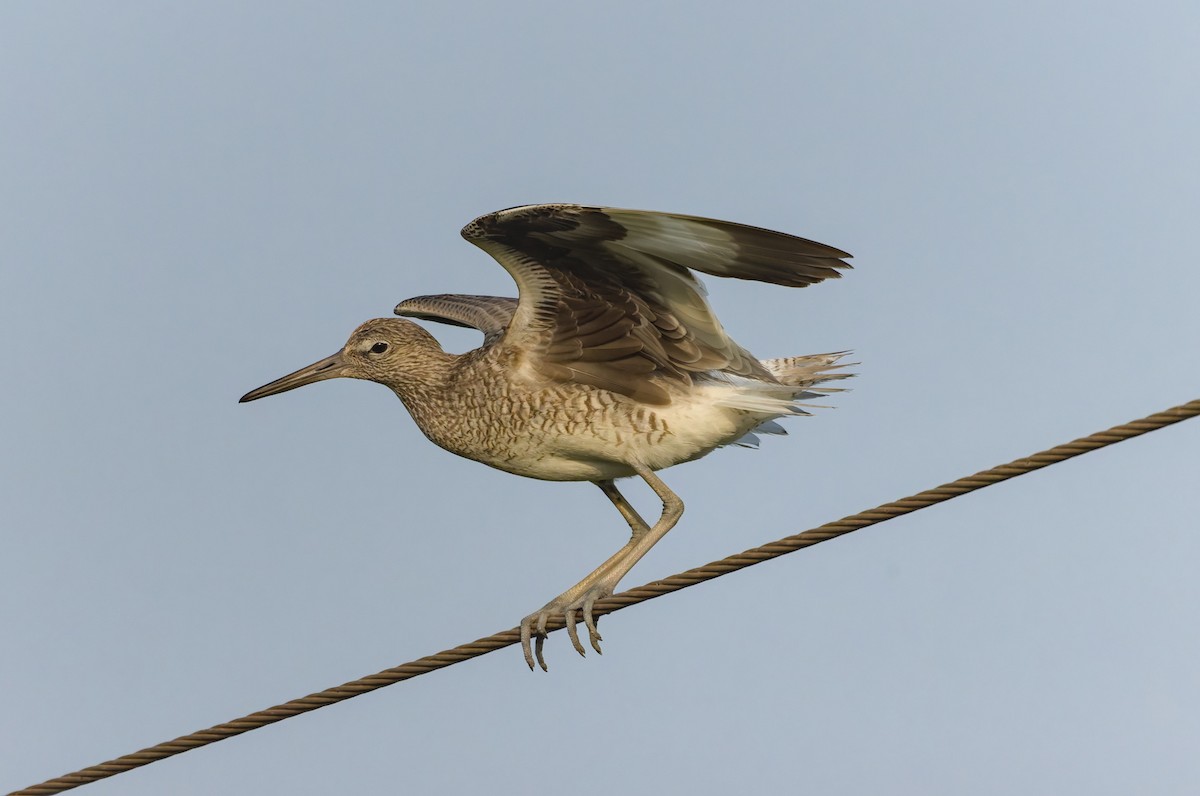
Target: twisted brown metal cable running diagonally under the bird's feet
[{"x": 625, "y": 600}]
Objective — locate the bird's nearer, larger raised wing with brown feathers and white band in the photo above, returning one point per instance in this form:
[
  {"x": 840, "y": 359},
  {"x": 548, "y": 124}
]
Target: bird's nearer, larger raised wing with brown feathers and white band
[{"x": 608, "y": 298}]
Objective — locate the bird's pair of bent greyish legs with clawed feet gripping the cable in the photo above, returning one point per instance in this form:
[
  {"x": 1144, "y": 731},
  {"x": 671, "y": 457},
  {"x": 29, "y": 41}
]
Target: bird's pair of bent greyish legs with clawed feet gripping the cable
[{"x": 603, "y": 580}]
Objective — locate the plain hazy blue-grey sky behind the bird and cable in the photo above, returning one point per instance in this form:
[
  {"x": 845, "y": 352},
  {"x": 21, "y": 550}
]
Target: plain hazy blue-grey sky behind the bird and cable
[{"x": 200, "y": 197}]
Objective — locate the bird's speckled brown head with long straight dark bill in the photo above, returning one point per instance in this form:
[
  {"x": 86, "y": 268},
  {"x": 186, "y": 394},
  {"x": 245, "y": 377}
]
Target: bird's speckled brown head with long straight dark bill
[{"x": 389, "y": 351}]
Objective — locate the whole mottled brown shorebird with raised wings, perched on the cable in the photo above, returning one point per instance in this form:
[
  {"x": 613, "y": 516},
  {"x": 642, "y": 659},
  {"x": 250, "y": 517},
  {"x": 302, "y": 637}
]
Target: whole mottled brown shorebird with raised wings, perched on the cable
[{"x": 611, "y": 363}]
